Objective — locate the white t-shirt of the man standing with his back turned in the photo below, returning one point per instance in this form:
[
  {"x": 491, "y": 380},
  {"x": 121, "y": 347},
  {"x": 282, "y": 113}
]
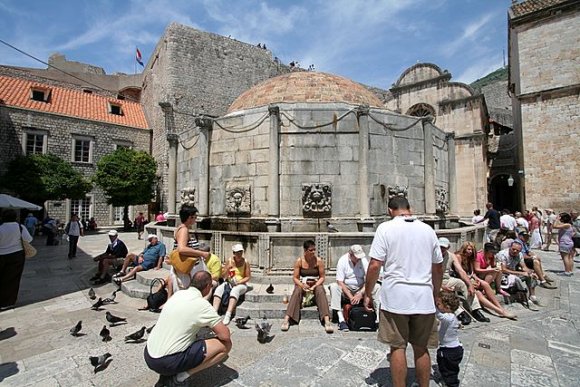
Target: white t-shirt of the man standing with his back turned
[{"x": 408, "y": 248}]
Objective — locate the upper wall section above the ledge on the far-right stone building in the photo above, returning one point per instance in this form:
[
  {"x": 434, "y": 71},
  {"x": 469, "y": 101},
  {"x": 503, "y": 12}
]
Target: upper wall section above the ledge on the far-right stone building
[{"x": 541, "y": 46}]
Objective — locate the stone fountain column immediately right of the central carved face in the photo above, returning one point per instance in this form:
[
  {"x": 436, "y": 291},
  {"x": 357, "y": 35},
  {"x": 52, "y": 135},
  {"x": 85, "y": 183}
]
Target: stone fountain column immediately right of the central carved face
[{"x": 362, "y": 115}]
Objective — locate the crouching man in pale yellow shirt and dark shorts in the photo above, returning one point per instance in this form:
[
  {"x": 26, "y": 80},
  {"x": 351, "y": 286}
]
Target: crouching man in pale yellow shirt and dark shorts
[{"x": 172, "y": 349}]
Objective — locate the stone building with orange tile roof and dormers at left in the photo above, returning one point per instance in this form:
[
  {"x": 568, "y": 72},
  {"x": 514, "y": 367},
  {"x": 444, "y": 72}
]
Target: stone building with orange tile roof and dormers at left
[{"x": 76, "y": 125}]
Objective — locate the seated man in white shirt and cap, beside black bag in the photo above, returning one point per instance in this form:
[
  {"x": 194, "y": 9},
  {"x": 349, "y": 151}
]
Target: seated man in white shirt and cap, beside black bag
[{"x": 350, "y": 283}]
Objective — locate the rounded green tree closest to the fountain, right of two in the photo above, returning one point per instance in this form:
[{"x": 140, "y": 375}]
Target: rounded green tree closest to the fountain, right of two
[{"x": 127, "y": 176}]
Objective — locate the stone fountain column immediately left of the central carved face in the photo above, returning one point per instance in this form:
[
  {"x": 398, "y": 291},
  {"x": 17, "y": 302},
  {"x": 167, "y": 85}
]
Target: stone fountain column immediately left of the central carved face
[{"x": 274, "y": 164}]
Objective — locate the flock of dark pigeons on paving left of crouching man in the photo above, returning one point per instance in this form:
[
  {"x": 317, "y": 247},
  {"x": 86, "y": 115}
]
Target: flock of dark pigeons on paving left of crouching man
[{"x": 101, "y": 362}]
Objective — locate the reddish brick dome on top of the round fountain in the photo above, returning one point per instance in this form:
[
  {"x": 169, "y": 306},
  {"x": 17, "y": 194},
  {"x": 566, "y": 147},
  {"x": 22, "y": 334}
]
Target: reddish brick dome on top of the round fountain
[{"x": 305, "y": 86}]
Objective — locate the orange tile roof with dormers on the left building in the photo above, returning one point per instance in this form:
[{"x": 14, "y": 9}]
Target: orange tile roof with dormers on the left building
[{"x": 16, "y": 92}]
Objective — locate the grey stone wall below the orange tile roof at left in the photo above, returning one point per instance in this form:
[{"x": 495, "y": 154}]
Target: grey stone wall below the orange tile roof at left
[{"x": 60, "y": 132}]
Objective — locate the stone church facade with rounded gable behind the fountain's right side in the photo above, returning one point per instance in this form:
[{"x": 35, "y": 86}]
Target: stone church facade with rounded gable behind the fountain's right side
[{"x": 426, "y": 90}]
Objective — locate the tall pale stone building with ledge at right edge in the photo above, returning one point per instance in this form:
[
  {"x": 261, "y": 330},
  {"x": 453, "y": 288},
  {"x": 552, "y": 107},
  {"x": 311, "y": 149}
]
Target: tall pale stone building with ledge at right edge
[{"x": 544, "y": 80}]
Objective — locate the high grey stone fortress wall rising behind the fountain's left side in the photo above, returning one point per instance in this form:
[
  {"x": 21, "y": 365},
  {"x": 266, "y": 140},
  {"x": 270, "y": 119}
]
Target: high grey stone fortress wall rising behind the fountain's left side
[{"x": 198, "y": 73}]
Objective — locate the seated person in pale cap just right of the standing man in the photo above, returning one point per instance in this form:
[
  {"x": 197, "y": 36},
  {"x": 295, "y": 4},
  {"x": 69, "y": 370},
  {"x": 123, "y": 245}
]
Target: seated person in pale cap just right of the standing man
[{"x": 461, "y": 285}]
